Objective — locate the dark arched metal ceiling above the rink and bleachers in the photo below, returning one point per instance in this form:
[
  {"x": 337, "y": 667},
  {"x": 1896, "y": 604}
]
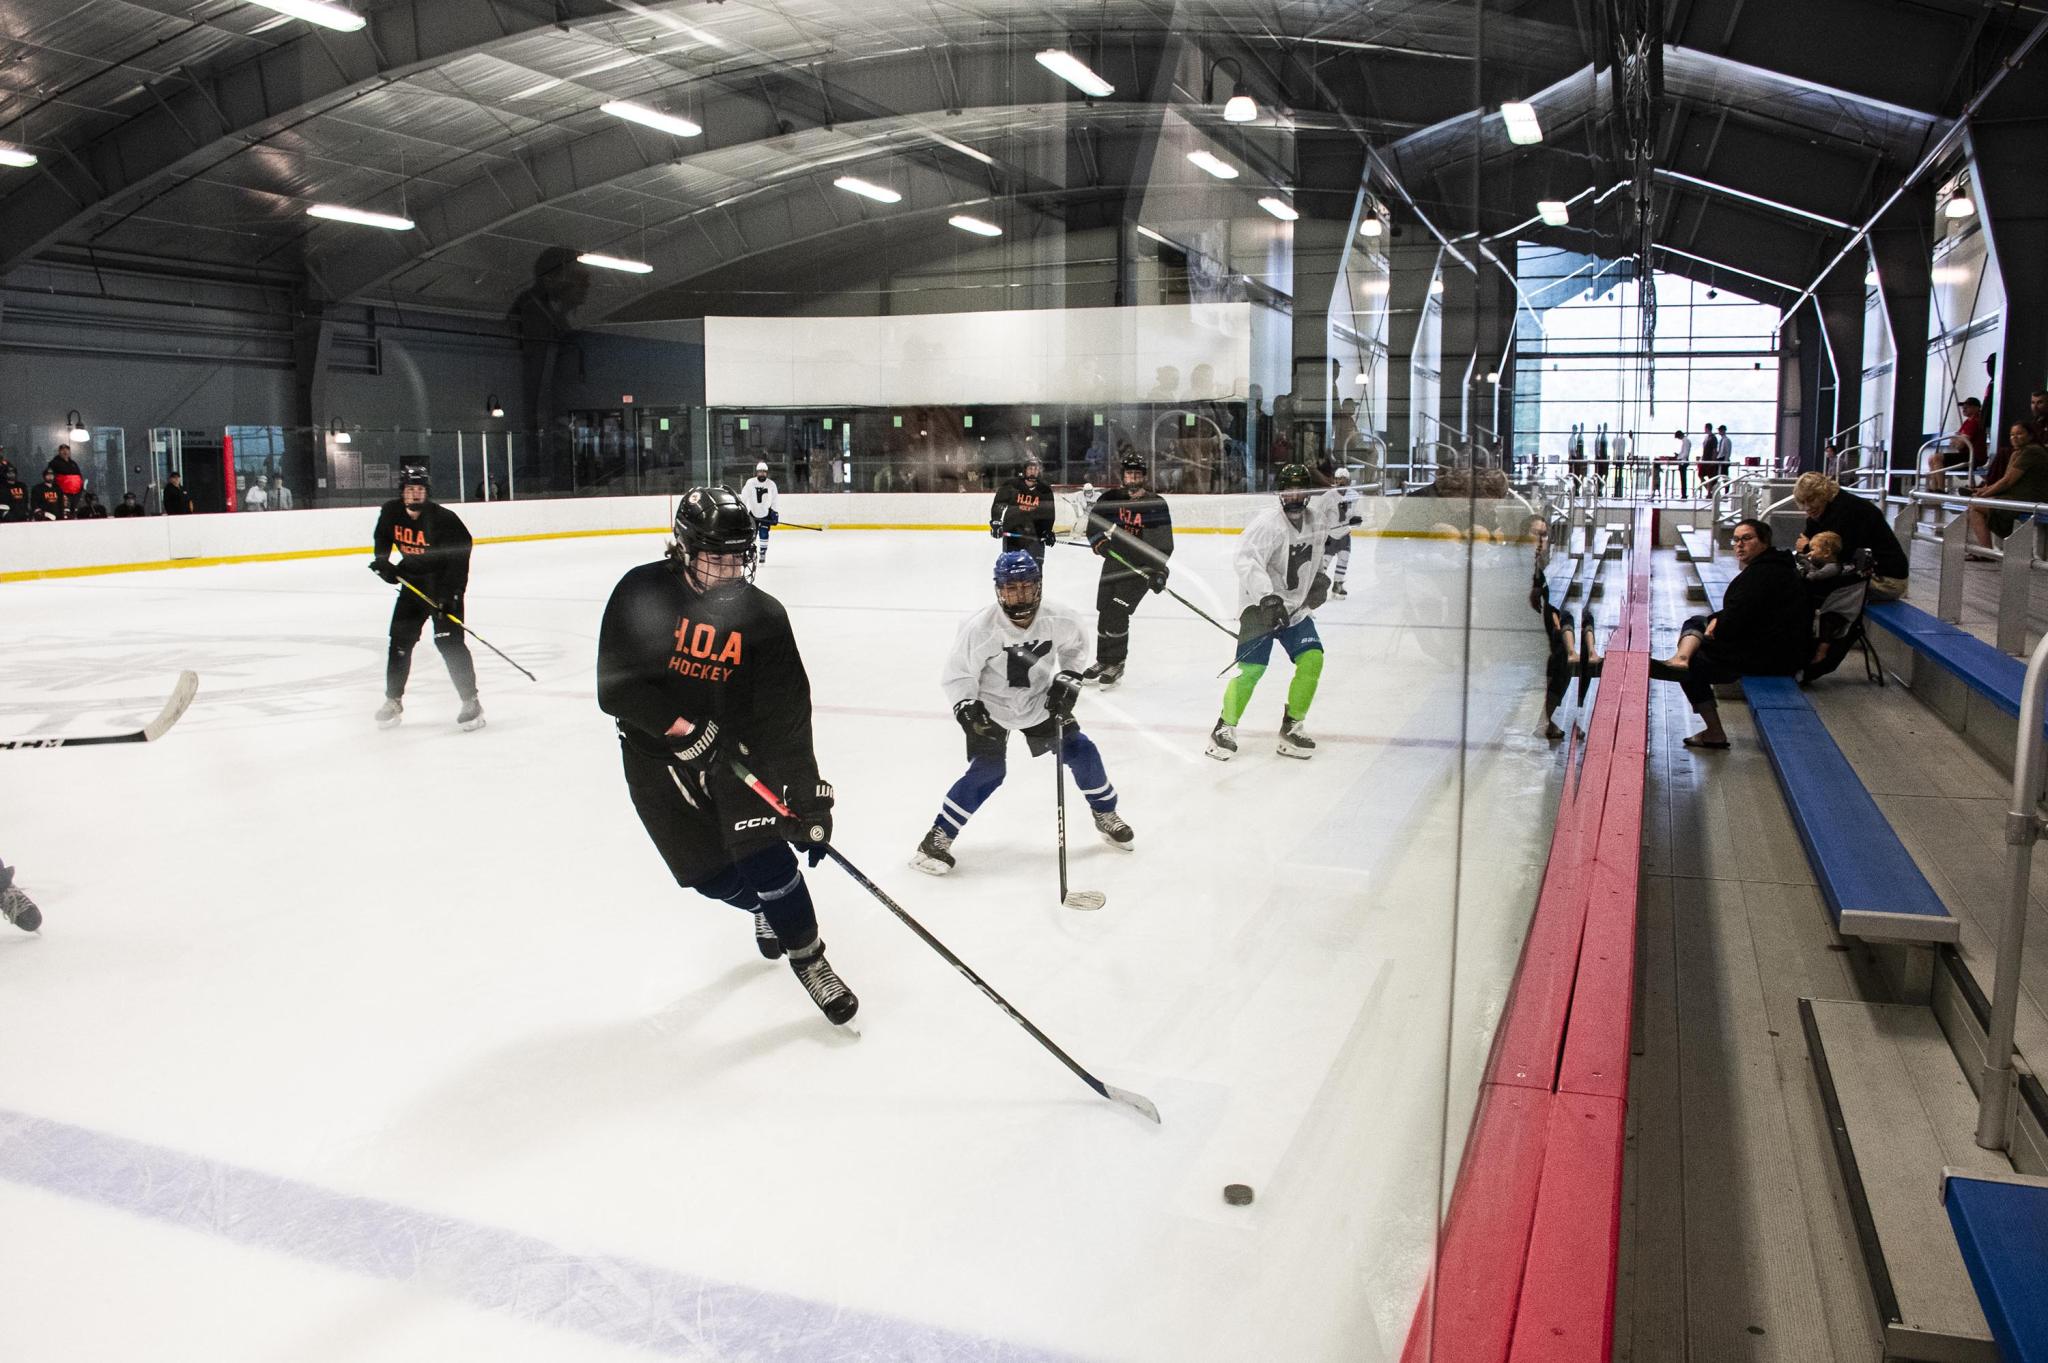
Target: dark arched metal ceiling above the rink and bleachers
[{"x": 185, "y": 132}]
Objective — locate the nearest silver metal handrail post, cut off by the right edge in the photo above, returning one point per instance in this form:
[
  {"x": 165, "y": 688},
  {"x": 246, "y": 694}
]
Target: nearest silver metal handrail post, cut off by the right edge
[{"x": 2022, "y": 830}]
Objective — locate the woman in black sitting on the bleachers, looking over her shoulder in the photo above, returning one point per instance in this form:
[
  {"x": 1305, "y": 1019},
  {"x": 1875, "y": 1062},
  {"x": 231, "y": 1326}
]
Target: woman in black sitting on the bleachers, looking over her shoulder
[{"x": 1764, "y": 629}]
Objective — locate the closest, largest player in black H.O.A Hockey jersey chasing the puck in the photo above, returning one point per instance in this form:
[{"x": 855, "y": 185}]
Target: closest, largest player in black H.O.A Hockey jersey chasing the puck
[{"x": 699, "y": 666}]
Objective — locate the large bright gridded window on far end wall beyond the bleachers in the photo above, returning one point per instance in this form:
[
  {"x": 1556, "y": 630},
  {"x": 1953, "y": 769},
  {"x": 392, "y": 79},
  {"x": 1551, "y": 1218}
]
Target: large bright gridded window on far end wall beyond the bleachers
[{"x": 1582, "y": 361}]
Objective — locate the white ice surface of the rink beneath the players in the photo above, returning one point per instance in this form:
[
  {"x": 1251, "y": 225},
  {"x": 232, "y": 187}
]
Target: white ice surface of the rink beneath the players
[{"x": 447, "y": 977}]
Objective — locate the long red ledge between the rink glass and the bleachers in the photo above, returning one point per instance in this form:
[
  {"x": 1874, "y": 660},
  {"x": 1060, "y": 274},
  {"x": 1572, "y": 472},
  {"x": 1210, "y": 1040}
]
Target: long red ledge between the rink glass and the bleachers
[{"x": 1531, "y": 1245}]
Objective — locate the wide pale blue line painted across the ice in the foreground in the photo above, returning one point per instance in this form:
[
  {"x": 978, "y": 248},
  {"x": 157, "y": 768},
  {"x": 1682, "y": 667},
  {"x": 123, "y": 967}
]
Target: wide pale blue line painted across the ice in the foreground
[{"x": 620, "y": 1301}]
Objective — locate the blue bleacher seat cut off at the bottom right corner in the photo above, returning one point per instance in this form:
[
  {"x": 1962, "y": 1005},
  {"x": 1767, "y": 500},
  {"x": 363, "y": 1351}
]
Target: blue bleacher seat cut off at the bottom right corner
[{"x": 2002, "y": 1229}]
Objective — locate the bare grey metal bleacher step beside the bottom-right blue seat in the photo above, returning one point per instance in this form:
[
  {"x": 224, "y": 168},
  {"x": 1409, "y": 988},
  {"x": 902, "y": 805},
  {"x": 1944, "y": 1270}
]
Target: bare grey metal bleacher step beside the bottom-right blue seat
[{"x": 1902, "y": 1112}]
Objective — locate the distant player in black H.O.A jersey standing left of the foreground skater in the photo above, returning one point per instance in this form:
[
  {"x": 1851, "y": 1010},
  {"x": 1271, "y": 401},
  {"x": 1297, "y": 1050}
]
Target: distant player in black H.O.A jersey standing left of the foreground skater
[{"x": 433, "y": 545}]
